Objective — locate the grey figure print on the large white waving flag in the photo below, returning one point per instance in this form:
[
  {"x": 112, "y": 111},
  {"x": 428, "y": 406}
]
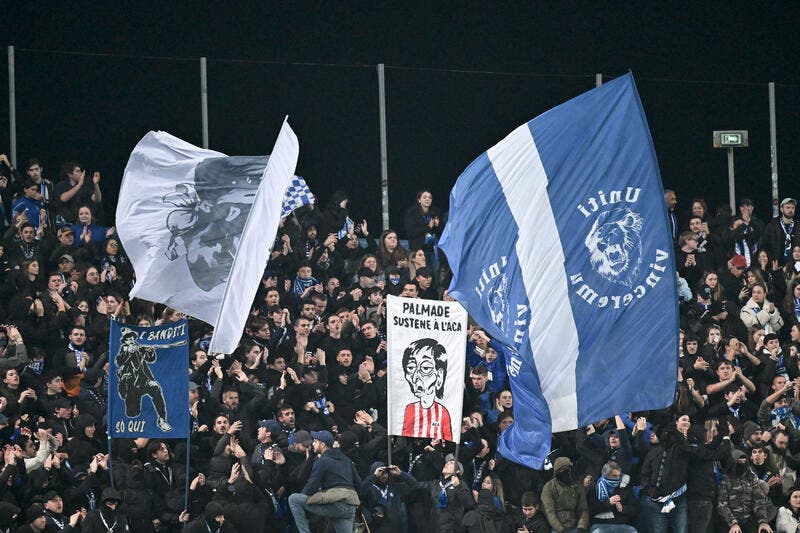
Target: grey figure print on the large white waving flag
[{"x": 207, "y": 224}]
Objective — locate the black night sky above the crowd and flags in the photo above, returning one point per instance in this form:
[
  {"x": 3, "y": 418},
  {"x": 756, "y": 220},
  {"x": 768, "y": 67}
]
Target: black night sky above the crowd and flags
[{"x": 459, "y": 77}]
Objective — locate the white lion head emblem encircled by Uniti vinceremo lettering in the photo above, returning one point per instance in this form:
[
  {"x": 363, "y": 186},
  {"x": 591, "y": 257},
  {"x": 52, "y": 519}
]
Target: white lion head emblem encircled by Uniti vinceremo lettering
[{"x": 615, "y": 245}]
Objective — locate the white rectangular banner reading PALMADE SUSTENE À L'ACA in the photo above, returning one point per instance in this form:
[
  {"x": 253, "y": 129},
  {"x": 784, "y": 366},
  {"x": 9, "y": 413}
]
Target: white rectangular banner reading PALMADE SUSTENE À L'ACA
[{"x": 425, "y": 326}]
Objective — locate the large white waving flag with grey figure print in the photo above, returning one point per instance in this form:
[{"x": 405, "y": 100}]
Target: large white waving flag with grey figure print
[{"x": 198, "y": 226}]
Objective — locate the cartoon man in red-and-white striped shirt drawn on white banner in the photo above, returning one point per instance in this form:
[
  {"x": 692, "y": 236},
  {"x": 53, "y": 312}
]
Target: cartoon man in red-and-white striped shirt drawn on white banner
[{"x": 425, "y": 371}]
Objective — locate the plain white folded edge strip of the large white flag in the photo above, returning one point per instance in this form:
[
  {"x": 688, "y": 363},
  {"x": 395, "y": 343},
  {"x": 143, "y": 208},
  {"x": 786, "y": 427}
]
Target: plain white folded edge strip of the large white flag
[{"x": 253, "y": 252}]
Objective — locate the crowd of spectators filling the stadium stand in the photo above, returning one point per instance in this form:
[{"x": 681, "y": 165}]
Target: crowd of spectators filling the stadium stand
[{"x": 288, "y": 432}]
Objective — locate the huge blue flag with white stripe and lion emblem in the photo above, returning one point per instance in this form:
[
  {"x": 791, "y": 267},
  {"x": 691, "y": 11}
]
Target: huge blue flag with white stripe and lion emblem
[{"x": 559, "y": 244}]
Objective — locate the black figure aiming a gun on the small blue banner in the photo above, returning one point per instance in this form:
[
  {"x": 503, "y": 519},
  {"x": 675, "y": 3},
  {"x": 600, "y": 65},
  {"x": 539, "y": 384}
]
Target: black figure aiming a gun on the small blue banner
[{"x": 136, "y": 380}]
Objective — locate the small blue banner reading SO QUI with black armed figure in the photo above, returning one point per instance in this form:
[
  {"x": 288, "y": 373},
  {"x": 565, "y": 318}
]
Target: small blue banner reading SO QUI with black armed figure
[{"x": 148, "y": 390}]
